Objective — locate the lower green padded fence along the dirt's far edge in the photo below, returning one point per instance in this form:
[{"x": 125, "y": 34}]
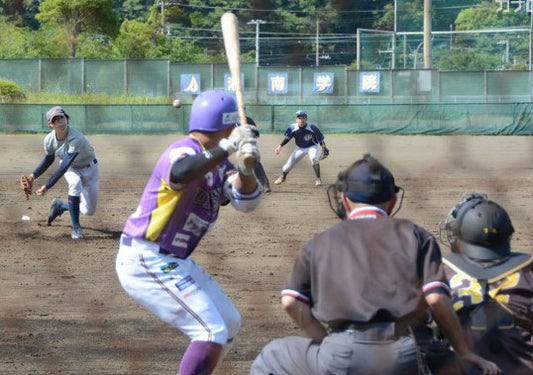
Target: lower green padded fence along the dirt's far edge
[{"x": 487, "y": 118}]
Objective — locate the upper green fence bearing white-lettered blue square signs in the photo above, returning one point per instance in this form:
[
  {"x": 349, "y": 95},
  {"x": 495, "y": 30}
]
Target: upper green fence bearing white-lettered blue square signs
[{"x": 302, "y": 85}]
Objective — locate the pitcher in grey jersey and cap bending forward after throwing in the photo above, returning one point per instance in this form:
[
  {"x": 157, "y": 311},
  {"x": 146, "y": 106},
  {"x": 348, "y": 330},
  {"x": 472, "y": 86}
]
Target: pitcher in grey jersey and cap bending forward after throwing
[{"x": 78, "y": 165}]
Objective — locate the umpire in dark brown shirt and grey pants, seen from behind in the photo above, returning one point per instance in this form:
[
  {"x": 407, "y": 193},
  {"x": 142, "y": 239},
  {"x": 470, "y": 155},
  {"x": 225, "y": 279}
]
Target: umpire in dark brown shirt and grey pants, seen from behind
[{"x": 363, "y": 291}]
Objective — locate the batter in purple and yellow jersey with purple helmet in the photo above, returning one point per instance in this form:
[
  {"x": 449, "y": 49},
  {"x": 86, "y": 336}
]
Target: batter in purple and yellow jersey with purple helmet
[{"x": 179, "y": 205}]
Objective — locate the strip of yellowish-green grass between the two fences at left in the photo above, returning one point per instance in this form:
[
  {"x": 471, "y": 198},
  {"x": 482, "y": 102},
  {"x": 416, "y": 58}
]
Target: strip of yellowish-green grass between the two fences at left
[{"x": 91, "y": 98}]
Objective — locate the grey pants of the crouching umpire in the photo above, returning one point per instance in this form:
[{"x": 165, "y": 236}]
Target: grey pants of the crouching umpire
[{"x": 342, "y": 353}]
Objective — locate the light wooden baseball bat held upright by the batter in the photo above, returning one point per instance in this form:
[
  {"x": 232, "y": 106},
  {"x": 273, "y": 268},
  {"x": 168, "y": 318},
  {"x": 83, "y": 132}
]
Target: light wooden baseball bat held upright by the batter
[{"x": 230, "y": 31}]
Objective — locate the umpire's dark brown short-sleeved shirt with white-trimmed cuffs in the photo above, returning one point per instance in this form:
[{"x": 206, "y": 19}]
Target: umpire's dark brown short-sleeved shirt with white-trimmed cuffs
[{"x": 369, "y": 268}]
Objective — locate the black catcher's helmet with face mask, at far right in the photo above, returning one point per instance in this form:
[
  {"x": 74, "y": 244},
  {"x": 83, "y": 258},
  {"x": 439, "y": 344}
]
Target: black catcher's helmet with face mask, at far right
[{"x": 478, "y": 228}]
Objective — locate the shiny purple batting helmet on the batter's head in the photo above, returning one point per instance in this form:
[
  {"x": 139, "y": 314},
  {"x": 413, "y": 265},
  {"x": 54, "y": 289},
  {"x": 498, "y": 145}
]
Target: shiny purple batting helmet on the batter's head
[{"x": 212, "y": 111}]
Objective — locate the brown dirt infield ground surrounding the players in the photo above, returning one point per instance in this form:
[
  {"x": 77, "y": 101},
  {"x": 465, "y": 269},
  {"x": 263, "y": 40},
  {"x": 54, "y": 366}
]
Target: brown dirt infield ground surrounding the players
[{"x": 62, "y": 310}]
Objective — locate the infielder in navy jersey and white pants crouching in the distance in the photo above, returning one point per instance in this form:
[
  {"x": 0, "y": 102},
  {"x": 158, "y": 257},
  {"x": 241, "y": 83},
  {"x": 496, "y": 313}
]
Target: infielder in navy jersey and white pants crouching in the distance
[{"x": 307, "y": 138}]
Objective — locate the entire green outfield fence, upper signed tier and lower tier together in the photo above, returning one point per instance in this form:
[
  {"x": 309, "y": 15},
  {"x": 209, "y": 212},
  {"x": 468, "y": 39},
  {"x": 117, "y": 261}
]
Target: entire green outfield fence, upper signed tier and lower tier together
[{"x": 338, "y": 99}]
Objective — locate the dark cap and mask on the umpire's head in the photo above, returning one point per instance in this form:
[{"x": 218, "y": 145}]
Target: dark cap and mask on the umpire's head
[{"x": 365, "y": 181}]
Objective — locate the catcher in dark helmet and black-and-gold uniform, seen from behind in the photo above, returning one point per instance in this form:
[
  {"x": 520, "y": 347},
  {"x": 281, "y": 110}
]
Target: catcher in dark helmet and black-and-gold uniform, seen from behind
[{"x": 492, "y": 286}]
